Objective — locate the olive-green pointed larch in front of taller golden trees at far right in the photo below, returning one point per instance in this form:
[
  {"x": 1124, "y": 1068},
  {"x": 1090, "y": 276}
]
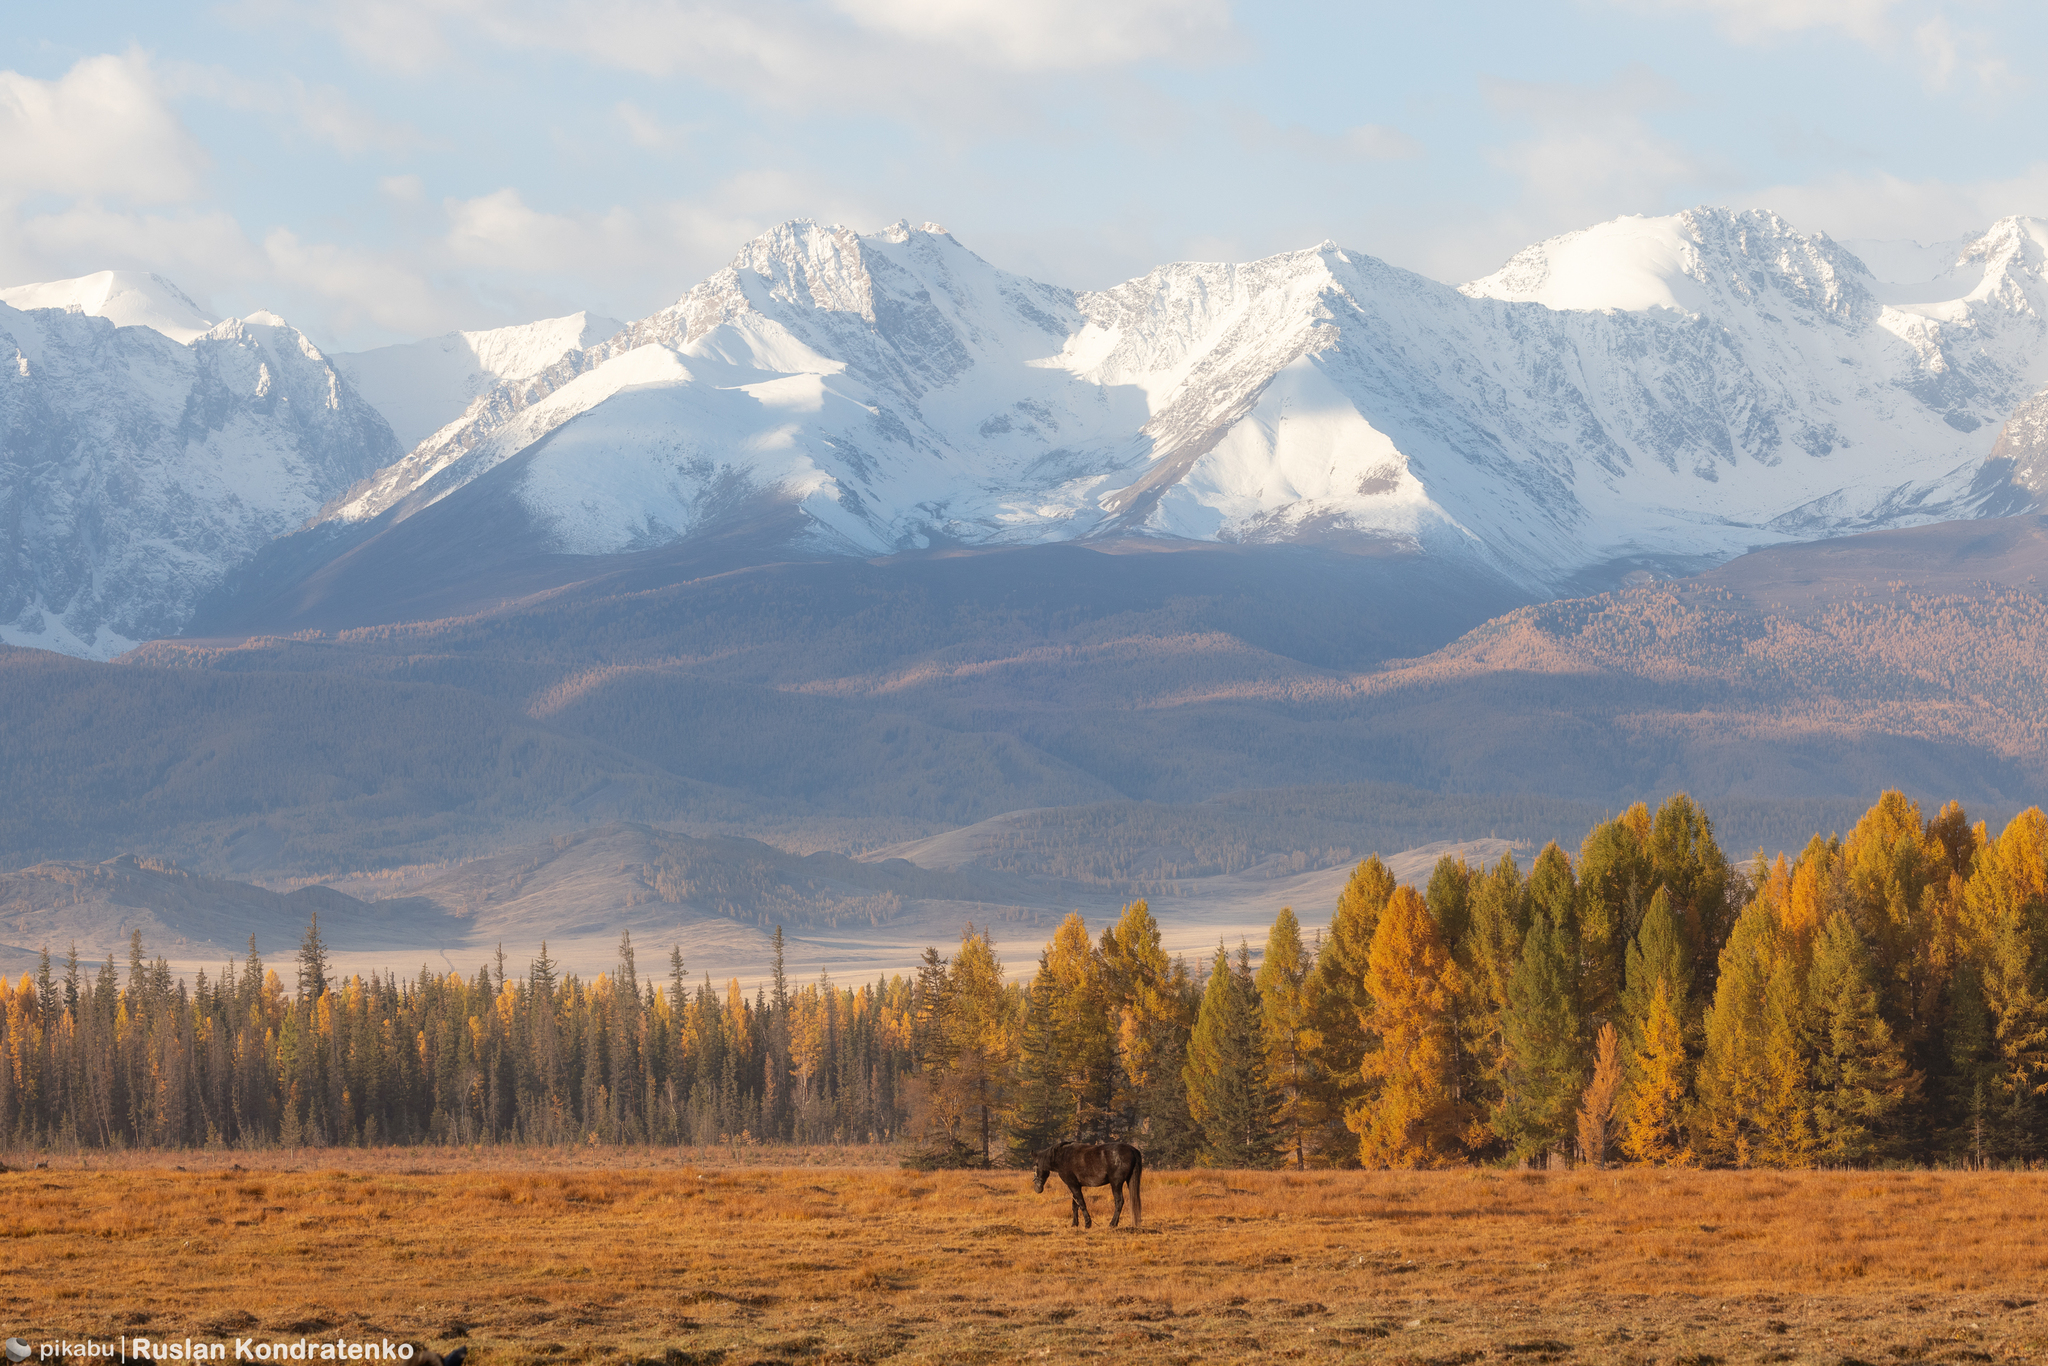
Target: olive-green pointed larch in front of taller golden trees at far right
[{"x": 1861, "y": 1072}]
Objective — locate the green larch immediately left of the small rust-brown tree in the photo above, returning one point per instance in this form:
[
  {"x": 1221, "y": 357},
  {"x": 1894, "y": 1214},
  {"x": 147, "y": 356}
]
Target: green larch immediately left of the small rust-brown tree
[{"x": 1543, "y": 1043}]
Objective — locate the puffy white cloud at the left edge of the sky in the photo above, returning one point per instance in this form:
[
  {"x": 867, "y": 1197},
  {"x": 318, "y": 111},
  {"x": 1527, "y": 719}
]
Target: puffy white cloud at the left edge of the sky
[{"x": 103, "y": 130}]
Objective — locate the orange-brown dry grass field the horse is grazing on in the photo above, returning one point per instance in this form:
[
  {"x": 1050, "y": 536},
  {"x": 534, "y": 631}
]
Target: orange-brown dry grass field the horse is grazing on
[{"x": 624, "y": 1256}]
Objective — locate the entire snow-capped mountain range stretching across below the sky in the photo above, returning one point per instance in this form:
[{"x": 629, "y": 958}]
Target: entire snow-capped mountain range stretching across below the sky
[{"x": 1684, "y": 386}]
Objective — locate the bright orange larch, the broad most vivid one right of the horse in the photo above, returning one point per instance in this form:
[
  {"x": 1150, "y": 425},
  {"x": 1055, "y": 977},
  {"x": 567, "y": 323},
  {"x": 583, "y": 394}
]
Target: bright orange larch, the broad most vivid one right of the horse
[{"x": 1416, "y": 1117}]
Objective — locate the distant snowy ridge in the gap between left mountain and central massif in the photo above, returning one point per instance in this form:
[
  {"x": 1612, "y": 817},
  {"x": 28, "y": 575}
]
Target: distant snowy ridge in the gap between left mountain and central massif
[{"x": 425, "y": 386}]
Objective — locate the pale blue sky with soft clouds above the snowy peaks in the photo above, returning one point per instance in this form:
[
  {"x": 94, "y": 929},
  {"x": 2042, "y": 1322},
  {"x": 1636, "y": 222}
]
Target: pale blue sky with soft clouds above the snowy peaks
[{"x": 384, "y": 171}]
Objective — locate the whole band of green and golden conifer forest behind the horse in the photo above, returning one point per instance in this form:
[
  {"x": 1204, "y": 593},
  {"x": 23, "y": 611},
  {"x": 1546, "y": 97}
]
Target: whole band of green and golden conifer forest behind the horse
[{"x": 1877, "y": 998}]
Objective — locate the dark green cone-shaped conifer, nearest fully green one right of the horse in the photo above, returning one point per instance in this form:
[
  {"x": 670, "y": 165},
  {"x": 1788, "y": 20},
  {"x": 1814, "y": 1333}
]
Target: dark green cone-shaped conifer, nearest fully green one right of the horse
[{"x": 1226, "y": 1070}]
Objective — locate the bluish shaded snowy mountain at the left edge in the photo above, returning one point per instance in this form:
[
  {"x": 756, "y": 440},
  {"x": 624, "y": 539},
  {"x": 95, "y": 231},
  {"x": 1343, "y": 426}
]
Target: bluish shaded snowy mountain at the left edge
[{"x": 136, "y": 472}]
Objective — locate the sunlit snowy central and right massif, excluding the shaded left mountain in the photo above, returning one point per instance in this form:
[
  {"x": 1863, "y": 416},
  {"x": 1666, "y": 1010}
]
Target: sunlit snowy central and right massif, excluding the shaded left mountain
[{"x": 1682, "y": 386}]
